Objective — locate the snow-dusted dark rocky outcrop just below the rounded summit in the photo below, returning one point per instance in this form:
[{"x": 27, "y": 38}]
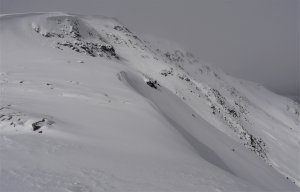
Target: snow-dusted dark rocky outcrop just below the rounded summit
[{"x": 73, "y": 33}]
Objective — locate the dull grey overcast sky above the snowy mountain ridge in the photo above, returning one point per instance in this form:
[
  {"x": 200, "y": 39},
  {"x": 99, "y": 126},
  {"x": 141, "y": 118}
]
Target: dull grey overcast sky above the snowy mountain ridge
[{"x": 256, "y": 40}]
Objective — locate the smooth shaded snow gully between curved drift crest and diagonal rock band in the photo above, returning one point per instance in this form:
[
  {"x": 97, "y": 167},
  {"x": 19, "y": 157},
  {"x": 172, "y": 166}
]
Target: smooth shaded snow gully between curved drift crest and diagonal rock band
[{"x": 199, "y": 133}]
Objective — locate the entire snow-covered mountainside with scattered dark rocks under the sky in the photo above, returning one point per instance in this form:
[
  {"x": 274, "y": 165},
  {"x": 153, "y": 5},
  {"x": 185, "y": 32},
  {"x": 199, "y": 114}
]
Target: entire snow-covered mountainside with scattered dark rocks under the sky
[{"x": 89, "y": 106}]
